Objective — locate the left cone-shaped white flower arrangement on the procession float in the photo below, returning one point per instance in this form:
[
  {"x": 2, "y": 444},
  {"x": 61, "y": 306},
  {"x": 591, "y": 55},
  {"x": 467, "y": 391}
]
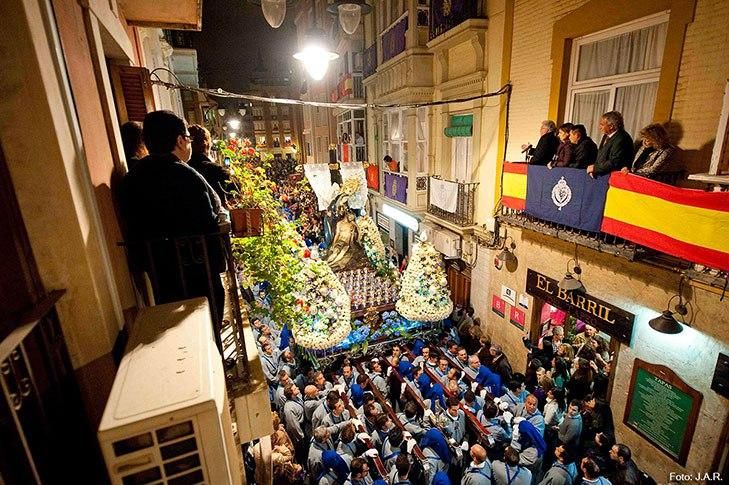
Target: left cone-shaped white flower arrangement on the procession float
[{"x": 325, "y": 302}]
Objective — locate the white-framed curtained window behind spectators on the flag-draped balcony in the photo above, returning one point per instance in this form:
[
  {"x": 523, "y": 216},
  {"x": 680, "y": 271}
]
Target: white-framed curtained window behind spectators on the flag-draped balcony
[{"x": 617, "y": 69}]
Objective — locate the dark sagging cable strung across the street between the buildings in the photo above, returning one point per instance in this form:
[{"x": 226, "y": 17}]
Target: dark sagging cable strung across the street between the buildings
[{"x": 221, "y": 93}]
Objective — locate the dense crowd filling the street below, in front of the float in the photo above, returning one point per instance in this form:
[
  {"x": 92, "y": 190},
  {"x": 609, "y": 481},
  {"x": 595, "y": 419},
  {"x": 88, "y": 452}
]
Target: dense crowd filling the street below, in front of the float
[{"x": 446, "y": 411}]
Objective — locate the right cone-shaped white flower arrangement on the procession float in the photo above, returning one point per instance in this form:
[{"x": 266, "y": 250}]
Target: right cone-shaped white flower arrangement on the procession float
[{"x": 424, "y": 294}]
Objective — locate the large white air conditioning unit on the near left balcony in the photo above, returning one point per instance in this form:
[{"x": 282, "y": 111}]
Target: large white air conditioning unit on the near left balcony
[{"x": 167, "y": 420}]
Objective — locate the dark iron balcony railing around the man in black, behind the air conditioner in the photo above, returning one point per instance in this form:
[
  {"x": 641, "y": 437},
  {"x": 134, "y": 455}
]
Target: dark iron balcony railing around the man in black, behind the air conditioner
[{"x": 189, "y": 266}]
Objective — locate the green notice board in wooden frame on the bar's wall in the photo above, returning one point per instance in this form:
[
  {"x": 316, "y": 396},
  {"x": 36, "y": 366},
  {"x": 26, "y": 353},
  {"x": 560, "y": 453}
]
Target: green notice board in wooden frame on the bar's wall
[{"x": 663, "y": 409}]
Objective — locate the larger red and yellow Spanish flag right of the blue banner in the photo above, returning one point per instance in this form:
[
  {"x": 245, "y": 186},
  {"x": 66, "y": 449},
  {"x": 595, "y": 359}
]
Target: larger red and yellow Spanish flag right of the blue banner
[{"x": 689, "y": 224}]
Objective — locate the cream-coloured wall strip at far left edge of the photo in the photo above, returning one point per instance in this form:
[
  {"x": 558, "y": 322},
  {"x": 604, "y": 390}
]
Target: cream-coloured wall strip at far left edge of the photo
[{"x": 42, "y": 144}]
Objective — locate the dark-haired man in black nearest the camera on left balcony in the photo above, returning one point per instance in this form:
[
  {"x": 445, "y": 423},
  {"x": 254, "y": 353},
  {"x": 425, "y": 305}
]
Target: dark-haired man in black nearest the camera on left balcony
[{"x": 162, "y": 198}]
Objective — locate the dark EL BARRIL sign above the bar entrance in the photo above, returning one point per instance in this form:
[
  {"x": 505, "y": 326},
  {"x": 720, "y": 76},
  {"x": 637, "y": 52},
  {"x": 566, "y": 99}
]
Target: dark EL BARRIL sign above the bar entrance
[{"x": 612, "y": 320}]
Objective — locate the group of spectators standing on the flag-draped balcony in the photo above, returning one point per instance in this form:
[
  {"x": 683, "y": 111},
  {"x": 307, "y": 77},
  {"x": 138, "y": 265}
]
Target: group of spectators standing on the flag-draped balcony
[{"x": 570, "y": 146}]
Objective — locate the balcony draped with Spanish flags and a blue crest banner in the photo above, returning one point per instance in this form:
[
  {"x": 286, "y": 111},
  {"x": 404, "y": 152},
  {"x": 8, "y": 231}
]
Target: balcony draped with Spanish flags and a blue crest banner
[{"x": 621, "y": 214}]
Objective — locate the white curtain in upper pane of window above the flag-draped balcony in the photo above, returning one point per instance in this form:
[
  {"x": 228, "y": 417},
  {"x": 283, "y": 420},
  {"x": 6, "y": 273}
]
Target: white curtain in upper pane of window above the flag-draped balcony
[{"x": 634, "y": 51}]
